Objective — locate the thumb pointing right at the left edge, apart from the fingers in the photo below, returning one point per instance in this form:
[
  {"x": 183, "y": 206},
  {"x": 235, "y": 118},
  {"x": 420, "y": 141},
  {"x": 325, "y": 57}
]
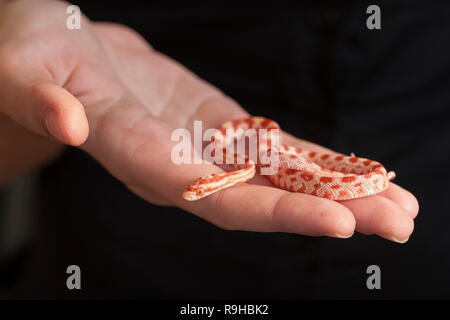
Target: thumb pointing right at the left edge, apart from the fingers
[{"x": 46, "y": 109}]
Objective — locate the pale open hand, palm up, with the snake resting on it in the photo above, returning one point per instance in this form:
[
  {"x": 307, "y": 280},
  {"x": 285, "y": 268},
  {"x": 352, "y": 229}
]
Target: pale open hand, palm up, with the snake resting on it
[{"x": 104, "y": 89}]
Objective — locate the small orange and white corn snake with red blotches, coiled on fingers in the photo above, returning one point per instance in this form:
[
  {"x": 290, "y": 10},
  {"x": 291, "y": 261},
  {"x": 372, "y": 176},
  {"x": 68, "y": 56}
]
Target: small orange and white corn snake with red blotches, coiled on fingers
[{"x": 328, "y": 175}]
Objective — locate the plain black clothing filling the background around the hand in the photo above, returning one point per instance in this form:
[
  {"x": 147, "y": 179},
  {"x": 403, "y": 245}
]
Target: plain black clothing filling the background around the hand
[{"x": 316, "y": 69}]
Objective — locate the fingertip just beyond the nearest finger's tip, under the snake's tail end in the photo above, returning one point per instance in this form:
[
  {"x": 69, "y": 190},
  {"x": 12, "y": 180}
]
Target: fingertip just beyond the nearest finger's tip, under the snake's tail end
[{"x": 382, "y": 216}]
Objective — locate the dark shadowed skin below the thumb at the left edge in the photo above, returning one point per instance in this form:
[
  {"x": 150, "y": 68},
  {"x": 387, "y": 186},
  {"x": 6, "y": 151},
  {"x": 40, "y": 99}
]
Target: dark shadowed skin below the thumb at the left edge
[{"x": 22, "y": 151}]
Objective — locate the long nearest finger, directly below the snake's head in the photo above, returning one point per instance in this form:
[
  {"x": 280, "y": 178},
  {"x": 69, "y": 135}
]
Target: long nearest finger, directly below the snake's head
[{"x": 267, "y": 209}]
